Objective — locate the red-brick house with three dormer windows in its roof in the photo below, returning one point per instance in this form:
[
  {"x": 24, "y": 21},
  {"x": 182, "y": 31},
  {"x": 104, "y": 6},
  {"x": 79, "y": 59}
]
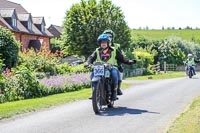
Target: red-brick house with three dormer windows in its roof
[{"x": 29, "y": 30}]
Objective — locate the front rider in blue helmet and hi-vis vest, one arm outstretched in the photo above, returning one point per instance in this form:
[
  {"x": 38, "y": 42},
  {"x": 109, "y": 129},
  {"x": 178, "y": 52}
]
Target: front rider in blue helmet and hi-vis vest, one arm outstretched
[{"x": 106, "y": 53}]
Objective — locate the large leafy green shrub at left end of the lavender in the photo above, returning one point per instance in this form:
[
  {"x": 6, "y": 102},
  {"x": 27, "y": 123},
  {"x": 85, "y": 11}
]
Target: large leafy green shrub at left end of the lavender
[{"x": 21, "y": 84}]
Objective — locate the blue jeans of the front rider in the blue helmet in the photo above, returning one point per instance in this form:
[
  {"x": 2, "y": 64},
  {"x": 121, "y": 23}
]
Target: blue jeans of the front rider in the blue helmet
[{"x": 114, "y": 75}]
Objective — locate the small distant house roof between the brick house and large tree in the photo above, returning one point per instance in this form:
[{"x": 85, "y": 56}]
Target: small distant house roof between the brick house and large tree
[{"x": 55, "y": 30}]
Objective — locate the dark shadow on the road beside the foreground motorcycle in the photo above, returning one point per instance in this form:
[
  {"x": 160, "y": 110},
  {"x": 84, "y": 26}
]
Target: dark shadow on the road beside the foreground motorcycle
[{"x": 123, "y": 111}]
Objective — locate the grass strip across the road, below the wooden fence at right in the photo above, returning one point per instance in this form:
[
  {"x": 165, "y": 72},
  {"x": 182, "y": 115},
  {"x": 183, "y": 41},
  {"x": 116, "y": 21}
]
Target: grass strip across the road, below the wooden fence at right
[{"x": 159, "y": 76}]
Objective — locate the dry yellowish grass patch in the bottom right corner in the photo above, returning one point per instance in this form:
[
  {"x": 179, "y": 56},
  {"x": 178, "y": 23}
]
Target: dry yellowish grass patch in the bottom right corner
[{"x": 189, "y": 121}]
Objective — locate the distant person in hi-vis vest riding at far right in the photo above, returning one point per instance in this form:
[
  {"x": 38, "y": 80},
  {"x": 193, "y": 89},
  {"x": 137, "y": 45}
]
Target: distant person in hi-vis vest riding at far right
[{"x": 192, "y": 61}]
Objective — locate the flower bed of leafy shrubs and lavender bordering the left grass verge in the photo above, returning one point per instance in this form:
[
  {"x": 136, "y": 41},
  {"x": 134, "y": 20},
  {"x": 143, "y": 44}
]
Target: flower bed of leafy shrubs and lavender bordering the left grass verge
[{"x": 22, "y": 84}]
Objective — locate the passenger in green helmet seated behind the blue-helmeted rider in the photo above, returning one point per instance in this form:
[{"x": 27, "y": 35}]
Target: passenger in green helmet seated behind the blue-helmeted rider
[{"x": 111, "y": 34}]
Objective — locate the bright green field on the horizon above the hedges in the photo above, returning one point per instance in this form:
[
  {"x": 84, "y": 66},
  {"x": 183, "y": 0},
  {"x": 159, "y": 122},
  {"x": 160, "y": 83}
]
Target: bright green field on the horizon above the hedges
[{"x": 189, "y": 35}]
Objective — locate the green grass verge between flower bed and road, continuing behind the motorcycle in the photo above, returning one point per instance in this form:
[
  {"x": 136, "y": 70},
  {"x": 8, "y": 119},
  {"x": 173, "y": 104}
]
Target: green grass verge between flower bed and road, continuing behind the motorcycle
[{"x": 11, "y": 109}]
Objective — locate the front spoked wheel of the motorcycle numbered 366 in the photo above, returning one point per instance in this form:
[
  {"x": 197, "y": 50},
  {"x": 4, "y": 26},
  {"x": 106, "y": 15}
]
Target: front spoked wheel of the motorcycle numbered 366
[{"x": 96, "y": 97}]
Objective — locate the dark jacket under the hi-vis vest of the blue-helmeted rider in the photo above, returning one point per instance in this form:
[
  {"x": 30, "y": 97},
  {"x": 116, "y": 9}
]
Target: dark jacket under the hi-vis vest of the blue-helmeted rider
[{"x": 119, "y": 56}]
